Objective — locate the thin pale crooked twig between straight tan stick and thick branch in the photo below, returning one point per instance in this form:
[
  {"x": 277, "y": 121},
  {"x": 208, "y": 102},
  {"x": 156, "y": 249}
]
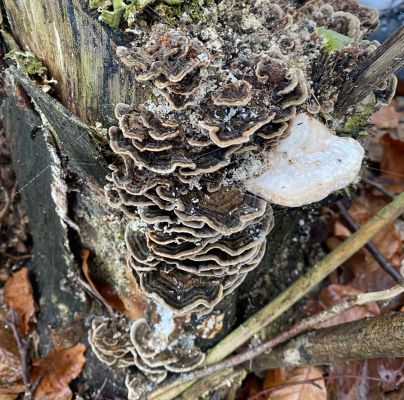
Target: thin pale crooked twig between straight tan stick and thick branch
[{"x": 302, "y": 326}]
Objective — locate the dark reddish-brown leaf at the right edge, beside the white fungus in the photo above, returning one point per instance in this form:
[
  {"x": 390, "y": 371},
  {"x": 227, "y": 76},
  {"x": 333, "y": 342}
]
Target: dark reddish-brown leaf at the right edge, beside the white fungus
[{"x": 392, "y": 163}]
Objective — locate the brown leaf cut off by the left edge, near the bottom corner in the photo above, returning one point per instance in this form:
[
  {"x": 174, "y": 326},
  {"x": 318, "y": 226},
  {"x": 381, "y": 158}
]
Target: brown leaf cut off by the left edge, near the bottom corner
[{"x": 10, "y": 364}]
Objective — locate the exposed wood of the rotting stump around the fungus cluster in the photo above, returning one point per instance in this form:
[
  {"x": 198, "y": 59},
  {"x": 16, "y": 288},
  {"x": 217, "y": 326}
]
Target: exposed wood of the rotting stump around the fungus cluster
[{"x": 61, "y": 170}]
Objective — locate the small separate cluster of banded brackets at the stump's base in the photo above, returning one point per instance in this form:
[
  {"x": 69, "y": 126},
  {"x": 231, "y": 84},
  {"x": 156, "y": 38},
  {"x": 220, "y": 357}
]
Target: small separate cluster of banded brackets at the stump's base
[{"x": 151, "y": 353}]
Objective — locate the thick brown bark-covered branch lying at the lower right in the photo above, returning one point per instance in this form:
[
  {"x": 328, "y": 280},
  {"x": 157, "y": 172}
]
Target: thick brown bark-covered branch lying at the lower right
[{"x": 380, "y": 336}]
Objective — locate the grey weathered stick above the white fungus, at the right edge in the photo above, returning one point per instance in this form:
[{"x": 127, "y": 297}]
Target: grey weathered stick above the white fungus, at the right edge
[{"x": 387, "y": 59}]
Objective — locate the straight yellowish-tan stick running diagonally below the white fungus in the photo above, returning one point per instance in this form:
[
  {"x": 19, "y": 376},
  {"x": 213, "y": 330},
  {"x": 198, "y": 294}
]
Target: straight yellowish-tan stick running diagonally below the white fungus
[{"x": 292, "y": 294}]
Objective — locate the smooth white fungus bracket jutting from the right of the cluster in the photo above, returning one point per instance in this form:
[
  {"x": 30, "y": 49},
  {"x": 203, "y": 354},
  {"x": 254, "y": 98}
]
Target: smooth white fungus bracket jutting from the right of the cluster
[{"x": 308, "y": 165}]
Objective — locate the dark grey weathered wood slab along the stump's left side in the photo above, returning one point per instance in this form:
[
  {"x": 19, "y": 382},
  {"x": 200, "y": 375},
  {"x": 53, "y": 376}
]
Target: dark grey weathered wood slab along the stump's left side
[{"x": 38, "y": 166}]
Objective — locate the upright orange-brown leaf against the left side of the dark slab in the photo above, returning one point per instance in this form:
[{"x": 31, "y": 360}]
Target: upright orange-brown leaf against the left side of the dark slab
[{"x": 18, "y": 296}]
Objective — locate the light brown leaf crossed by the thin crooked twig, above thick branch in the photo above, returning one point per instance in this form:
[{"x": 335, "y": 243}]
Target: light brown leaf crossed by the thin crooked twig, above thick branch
[{"x": 334, "y": 294}]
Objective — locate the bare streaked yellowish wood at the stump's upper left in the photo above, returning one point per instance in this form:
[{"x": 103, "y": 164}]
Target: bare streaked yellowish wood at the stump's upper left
[{"x": 79, "y": 53}]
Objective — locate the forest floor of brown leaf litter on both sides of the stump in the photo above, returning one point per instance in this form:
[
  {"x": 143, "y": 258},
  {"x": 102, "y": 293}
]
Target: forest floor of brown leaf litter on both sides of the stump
[{"x": 22, "y": 371}]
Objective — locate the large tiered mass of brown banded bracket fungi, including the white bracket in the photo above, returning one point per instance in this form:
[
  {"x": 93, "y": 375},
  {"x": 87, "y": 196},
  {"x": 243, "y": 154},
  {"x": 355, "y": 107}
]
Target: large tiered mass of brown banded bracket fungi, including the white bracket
[{"x": 226, "y": 95}]
